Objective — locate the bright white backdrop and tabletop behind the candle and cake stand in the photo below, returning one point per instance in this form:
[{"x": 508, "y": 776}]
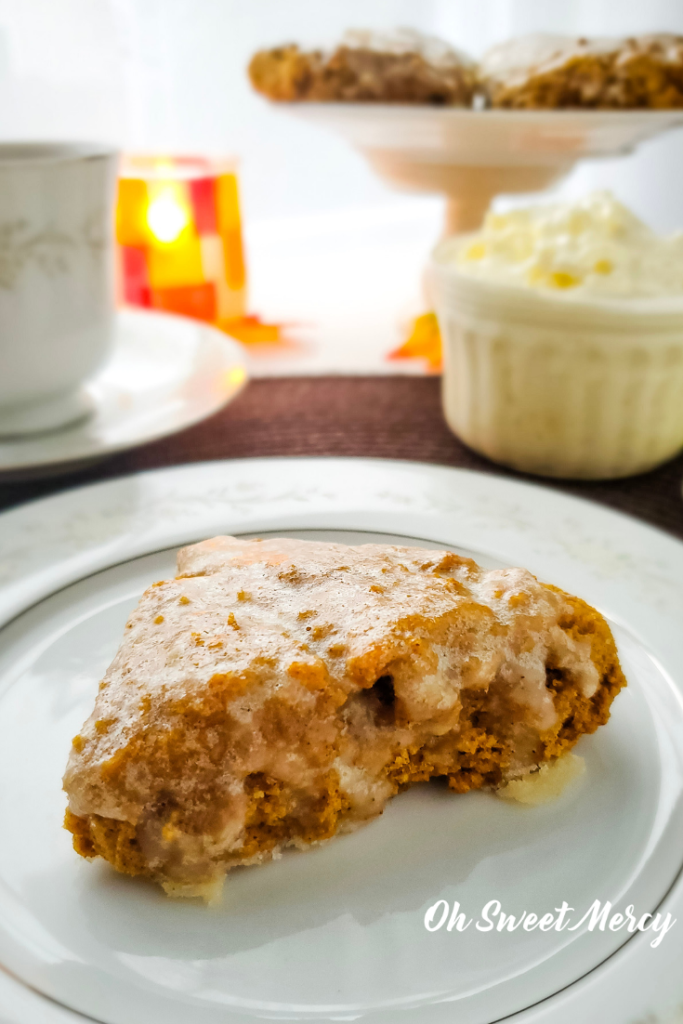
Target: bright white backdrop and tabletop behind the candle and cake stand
[{"x": 329, "y": 244}]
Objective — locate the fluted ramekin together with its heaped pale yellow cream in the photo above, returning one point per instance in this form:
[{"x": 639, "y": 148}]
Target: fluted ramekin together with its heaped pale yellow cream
[{"x": 563, "y": 330}]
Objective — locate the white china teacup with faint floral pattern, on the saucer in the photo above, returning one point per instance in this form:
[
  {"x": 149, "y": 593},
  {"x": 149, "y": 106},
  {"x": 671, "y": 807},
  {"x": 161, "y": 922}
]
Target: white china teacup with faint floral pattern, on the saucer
[{"x": 57, "y": 280}]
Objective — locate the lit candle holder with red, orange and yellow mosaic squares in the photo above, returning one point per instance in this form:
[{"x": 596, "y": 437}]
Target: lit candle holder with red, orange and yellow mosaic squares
[{"x": 180, "y": 235}]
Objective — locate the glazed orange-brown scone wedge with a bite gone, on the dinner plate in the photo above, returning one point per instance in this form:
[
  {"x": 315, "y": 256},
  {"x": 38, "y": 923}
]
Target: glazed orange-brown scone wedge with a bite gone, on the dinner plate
[{"x": 277, "y": 693}]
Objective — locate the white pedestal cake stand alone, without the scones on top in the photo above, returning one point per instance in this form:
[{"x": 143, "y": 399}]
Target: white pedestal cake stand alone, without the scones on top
[{"x": 473, "y": 156}]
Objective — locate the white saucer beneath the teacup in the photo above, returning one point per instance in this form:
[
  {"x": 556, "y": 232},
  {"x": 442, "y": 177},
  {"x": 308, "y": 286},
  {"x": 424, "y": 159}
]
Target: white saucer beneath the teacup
[{"x": 166, "y": 373}]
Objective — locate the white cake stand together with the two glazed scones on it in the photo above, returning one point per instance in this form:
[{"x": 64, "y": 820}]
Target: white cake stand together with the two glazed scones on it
[{"x": 431, "y": 119}]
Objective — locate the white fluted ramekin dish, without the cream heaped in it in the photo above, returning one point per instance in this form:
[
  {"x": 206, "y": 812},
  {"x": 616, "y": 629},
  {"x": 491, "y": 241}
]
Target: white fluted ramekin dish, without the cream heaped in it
[{"x": 590, "y": 390}]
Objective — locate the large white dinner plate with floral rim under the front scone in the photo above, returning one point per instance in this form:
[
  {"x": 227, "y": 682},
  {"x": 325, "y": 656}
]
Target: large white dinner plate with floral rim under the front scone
[{"x": 338, "y": 933}]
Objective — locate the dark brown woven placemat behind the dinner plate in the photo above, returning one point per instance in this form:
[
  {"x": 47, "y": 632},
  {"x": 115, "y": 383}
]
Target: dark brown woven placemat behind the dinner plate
[{"x": 381, "y": 417}]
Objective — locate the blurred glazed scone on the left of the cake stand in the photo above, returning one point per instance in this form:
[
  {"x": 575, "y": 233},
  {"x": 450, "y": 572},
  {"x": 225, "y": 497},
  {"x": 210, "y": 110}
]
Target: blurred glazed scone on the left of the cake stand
[{"x": 403, "y": 68}]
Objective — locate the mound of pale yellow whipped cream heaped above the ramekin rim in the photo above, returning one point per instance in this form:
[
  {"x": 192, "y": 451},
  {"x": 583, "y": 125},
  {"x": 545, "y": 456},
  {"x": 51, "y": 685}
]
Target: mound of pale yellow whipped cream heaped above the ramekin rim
[{"x": 591, "y": 248}]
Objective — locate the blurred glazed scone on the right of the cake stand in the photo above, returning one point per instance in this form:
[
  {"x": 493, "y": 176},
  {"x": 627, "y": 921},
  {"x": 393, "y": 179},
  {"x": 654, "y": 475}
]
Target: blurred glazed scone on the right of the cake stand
[{"x": 553, "y": 72}]
